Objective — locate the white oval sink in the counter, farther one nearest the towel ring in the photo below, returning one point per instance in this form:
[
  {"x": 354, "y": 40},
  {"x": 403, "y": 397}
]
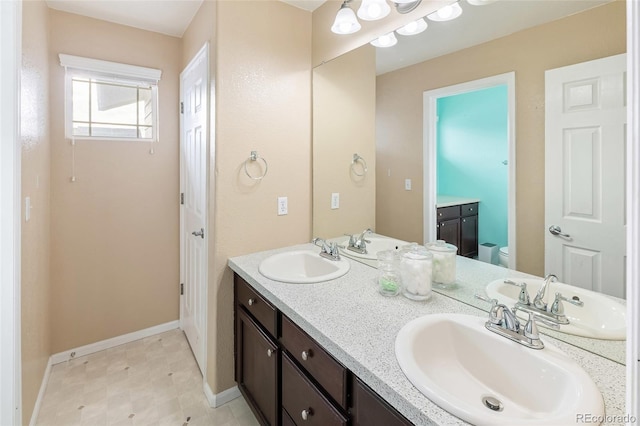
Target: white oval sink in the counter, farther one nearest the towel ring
[{"x": 302, "y": 267}]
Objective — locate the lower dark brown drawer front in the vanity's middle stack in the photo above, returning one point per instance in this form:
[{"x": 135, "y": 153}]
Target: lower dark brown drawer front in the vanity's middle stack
[{"x": 303, "y": 401}]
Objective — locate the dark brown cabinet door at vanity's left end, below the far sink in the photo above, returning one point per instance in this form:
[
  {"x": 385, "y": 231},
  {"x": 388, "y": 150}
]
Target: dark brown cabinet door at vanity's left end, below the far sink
[{"x": 257, "y": 368}]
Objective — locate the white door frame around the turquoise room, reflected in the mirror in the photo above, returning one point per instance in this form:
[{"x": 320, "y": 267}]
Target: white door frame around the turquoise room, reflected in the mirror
[{"x": 430, "y": 99}]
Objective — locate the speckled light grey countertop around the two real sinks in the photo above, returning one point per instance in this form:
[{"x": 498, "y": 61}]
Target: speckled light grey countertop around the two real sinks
[{"x": 358, "y": 327}]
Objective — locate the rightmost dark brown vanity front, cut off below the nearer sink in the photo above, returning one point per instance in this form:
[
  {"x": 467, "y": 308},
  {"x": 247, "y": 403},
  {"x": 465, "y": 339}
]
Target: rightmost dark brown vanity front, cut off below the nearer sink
[{"x": 371, "y": 410}]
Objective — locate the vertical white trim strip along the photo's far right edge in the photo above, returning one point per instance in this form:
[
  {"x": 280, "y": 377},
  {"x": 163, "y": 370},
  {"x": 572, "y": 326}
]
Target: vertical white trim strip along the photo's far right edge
[{"x": 633, "y": 208}]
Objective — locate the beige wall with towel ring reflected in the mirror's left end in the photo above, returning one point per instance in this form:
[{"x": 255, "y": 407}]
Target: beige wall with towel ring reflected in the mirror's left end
[{"x": 344, "y": 114}]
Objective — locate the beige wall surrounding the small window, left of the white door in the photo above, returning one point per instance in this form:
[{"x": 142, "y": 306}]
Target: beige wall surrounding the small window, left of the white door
[{"x": 115, "y": 252}]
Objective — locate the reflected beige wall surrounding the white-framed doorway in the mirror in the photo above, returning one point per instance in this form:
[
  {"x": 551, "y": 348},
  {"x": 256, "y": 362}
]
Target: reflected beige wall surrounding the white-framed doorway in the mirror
[{"x": 589, "y": 35}]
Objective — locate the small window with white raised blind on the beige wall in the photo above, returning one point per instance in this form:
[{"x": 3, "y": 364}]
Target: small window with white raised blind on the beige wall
[{"x": 107, "y": 100}]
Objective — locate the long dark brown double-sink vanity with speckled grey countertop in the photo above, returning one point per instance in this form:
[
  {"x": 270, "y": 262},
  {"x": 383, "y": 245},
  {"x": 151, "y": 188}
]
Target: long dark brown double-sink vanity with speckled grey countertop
[{"x": 323, "y": 353}]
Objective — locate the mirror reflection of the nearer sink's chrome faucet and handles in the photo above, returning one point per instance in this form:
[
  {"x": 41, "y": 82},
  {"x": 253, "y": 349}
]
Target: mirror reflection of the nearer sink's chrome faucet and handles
[{"x": 553, "y": 311}]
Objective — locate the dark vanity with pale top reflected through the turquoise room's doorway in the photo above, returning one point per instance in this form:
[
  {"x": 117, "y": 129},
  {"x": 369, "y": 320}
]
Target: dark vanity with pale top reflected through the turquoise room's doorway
[{"x": 457, "y": 223}]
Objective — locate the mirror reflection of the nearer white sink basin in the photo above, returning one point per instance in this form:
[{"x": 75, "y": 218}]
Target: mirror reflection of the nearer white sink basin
[{"x": 600, "y": 317}]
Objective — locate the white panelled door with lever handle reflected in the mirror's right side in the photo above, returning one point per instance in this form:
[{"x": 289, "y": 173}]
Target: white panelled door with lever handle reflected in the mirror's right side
[{"x": 585, "y": 130}]
